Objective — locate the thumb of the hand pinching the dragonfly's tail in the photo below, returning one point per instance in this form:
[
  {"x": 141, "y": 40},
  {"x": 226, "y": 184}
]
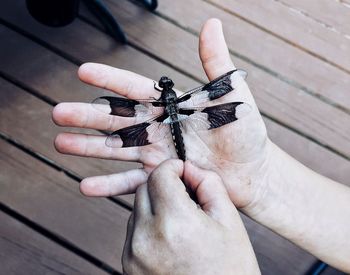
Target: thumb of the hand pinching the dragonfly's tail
[{"x": 211, "y": 193}]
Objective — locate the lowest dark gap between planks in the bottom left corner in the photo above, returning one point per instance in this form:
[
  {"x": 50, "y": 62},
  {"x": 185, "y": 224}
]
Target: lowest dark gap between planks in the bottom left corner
[{"x": 58, "y": 239}]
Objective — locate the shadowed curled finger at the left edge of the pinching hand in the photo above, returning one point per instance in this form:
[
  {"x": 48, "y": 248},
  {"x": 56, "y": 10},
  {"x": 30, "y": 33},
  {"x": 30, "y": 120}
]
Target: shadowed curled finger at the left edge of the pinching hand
[{"x": 142, "y": 205}]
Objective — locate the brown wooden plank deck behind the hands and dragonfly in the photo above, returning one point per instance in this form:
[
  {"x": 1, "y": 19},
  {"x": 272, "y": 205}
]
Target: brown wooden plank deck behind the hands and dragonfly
[{"x": 297, "y": 54}]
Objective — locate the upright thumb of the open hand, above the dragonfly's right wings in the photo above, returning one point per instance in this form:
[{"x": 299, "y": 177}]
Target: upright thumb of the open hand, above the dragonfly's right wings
[{"x": 213, "y": 50}]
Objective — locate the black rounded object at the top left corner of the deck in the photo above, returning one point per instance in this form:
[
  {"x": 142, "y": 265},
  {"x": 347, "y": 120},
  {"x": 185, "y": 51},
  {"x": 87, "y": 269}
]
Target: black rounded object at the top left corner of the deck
[{"x": 53, "y": 13}]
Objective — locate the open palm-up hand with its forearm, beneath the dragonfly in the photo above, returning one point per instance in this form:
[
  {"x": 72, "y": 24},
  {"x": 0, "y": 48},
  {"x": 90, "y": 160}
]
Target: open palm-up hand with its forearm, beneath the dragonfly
[{"x": 263, "y": 181}]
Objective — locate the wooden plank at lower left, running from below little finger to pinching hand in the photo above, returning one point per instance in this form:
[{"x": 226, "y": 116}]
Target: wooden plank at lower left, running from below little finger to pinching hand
[{"x": 52, "y": 200}]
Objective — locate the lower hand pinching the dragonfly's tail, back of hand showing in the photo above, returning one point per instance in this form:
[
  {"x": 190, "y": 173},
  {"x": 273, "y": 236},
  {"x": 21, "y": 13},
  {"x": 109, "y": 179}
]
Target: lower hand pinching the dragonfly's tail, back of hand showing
[{"x": 169, "y": 234}]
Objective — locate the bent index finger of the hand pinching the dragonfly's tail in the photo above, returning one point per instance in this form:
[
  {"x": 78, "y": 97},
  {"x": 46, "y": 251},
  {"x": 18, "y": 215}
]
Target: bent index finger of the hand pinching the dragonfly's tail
[{"x": 166, "y": 189}]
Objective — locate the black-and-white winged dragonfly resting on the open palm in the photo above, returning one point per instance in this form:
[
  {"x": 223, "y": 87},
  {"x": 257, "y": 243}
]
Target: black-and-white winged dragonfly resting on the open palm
[{"x": 171, "y": 115}]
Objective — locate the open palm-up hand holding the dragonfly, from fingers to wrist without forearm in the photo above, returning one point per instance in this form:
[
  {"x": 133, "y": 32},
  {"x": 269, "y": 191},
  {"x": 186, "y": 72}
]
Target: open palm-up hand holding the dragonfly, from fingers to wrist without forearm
[{"x": 237, "y": 151}]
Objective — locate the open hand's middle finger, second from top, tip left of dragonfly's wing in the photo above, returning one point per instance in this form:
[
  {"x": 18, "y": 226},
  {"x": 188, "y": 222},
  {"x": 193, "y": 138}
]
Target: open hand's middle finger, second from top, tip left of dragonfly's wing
[{"x": 84, "y": 115}]
